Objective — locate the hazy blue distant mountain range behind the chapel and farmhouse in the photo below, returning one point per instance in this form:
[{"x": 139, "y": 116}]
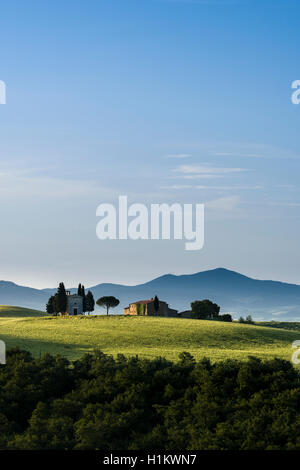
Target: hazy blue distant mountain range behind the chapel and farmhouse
[{"x": 234, "y": 292}]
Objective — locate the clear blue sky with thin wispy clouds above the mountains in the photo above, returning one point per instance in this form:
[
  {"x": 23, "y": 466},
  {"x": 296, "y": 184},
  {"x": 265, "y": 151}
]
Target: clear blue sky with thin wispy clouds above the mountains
[{"x": 165, "y": 101}]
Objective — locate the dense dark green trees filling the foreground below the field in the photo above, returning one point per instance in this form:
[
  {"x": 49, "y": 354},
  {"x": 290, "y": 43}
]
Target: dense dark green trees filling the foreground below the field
[{"x": 101, "y": 402}]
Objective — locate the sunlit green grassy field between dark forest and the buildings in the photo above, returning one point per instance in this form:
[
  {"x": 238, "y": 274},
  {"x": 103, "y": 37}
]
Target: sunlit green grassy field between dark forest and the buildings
[{"x": 146, "y": 336}]
